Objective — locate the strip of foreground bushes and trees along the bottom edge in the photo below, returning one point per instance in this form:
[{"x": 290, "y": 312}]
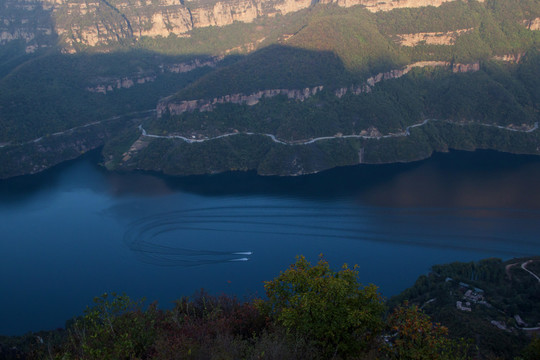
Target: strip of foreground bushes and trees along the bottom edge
[{"x": 311, "y": 312}]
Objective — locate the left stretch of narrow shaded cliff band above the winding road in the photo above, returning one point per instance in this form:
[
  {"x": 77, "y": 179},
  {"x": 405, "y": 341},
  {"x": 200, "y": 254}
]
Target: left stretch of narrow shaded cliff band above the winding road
[{"x": 175, "y": 108}]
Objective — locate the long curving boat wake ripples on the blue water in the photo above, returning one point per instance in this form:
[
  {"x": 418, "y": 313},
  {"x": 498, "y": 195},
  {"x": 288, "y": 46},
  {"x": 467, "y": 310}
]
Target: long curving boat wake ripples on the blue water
[{"x": 179, "y": 238}]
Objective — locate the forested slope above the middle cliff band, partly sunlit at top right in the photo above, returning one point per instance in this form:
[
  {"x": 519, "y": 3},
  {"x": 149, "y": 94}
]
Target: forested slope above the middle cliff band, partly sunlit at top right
[{"x": 364, "y": 43}]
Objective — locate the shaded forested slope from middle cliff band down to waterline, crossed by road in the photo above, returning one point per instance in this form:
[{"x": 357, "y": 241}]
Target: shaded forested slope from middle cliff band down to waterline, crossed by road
[{"x": 492, "y": 108}]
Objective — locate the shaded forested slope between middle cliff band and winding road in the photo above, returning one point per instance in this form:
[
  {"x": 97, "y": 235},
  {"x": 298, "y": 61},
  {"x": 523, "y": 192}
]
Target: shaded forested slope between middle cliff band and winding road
[{"x": 497, "y": 94}]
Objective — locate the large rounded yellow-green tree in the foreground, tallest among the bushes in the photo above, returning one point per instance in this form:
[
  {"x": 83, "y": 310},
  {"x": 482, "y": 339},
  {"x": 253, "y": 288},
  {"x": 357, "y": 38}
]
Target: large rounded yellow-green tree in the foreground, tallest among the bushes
[{"x": 328, "y": 309}]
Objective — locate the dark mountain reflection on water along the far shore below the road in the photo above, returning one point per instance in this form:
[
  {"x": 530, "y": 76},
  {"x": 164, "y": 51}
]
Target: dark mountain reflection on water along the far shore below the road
[{"x": 482, "y": 179}]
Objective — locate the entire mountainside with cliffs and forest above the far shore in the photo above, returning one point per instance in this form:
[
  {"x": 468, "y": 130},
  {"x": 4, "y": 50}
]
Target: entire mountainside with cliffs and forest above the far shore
[{"x": 281, "y": 87}]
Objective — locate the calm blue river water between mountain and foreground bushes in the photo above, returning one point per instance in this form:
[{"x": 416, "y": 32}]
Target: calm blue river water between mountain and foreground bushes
[{"x": 75, "y": 232}]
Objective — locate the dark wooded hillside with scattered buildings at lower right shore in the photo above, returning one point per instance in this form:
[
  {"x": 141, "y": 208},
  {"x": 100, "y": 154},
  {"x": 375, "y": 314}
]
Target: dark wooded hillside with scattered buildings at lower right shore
[{"x": 502, "y": 300}]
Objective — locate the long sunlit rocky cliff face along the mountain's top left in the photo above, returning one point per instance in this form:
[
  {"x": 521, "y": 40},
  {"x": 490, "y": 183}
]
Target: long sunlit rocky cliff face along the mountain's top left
[{"x": 89, "y": 23}]
